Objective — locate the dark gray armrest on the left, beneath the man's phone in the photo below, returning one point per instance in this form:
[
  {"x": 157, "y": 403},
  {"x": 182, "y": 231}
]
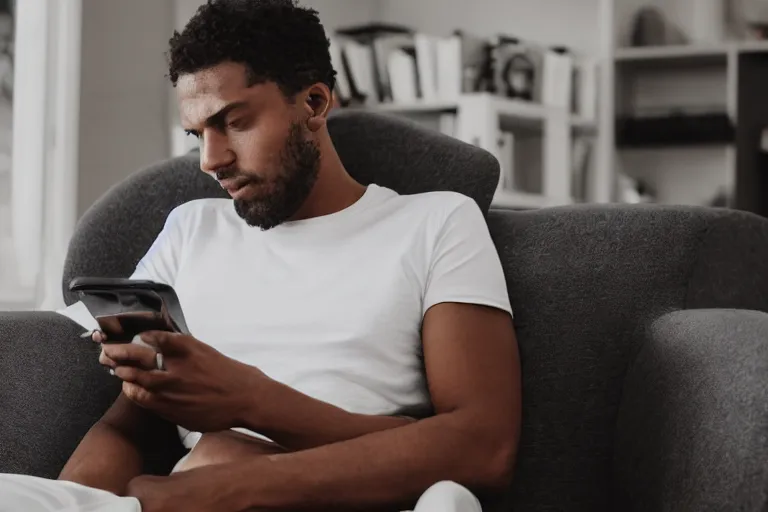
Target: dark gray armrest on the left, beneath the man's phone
[{"x": 51, "y": 392}]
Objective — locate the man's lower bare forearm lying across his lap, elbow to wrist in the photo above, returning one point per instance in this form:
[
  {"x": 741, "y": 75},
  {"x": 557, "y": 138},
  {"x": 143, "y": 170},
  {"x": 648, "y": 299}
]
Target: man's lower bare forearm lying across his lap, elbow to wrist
[{"x": 390, "y": 468}]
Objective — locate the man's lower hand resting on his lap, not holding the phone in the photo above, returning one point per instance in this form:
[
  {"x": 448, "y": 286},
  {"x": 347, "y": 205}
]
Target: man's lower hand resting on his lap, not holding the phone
[{"x": 196, "y": 490}]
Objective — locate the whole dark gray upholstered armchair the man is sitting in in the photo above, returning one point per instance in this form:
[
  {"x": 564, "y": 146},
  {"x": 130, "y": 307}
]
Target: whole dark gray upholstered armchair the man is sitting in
[{"x": 642, "y": 332}]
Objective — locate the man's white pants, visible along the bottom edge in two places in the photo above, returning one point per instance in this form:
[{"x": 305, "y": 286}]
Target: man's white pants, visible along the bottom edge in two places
[{"x": 20, "y": 493}]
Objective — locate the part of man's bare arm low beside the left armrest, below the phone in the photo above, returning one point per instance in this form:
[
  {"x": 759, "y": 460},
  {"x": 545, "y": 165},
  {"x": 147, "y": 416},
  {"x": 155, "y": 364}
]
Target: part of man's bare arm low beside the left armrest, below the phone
[{"x": 105, "y": 459}]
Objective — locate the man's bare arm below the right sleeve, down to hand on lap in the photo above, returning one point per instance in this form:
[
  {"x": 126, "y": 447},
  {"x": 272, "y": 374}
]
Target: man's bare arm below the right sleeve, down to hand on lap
[{"x": 473, "y": 369}]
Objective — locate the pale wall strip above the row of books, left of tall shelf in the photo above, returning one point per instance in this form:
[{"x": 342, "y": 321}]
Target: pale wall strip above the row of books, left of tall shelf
[{"x": 569, "y": 22}]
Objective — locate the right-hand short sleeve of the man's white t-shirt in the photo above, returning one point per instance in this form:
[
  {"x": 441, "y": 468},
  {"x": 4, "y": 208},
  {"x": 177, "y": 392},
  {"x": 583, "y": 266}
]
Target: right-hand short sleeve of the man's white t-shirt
[{"x": 465, "y": 266}]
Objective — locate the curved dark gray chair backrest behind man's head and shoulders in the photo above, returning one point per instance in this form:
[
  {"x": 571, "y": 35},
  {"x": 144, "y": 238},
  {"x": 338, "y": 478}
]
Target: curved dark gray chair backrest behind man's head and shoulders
[{"x": 116, "y": 231}]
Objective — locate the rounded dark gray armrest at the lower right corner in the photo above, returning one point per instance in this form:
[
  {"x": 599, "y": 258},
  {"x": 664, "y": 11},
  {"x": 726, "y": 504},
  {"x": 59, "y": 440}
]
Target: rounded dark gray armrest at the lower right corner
[{"x": 692, "y": 427}]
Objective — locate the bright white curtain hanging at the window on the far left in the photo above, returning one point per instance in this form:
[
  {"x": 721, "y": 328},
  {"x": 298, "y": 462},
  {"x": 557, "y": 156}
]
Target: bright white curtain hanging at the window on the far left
[{"x": 45, "y": 132}]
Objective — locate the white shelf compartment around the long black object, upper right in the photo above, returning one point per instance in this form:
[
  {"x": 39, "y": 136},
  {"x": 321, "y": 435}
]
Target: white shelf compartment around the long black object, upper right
[{"x": 690, "y": 77}]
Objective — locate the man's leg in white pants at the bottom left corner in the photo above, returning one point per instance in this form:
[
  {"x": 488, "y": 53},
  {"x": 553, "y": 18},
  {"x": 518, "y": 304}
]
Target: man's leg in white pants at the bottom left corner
[{"x": 21, "y": 493}]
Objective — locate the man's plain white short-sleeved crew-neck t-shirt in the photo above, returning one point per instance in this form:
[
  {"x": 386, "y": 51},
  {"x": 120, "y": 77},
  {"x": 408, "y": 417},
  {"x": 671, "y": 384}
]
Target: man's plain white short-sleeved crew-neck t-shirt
[{"x": 331, "y": 306}]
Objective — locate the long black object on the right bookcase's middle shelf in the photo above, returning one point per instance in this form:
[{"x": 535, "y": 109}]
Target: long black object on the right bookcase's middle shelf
[{"x": 675, "y": 130}]
